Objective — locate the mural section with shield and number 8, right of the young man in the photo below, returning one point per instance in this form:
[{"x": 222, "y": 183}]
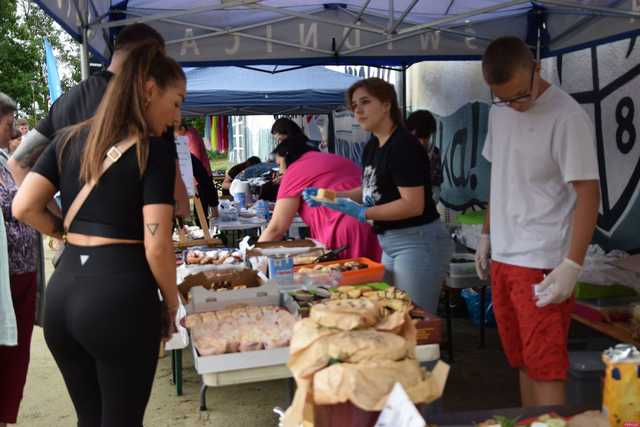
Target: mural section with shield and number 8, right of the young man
[{"x": 611, "y": 94}]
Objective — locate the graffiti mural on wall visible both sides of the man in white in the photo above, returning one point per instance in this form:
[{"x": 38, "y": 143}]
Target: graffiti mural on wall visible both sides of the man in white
[{"x": 606, "y": 82}]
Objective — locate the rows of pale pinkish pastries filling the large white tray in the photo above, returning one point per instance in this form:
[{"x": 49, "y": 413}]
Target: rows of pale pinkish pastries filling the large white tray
[{"x": 240, "y": 329}]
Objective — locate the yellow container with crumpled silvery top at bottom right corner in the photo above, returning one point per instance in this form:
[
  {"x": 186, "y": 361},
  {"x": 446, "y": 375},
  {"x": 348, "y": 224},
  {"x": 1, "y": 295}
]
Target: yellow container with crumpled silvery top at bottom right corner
[{"x": 621, "y": 395}]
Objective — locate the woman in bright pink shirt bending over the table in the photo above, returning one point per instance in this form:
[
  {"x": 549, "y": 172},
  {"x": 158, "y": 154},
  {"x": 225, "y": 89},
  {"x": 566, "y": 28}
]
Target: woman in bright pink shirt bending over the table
[{"x": 303, "y": 166}]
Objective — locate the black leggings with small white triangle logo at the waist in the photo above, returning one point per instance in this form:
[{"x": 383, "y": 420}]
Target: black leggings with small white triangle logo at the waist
[{"x": 102, "y": 324}]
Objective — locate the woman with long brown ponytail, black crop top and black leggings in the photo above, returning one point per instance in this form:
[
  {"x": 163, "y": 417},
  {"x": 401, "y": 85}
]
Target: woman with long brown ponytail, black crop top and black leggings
[{"x": 103, "y": 318}]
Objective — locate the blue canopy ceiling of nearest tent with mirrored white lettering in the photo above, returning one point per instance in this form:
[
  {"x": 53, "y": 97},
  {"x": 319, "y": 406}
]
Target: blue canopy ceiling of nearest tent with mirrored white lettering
[{"x": 391, "y": 32}]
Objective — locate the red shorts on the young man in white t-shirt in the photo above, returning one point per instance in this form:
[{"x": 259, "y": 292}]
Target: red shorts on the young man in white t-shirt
[{"x": 534, "y": 339}]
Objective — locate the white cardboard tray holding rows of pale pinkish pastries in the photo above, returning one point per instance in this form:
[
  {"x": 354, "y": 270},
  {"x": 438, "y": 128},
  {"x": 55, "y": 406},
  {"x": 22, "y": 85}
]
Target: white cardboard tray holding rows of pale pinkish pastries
[{"x": 263, "y": 295}]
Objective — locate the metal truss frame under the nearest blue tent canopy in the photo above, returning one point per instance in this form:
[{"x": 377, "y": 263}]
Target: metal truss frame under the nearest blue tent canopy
[{"x": 393, "y": 32}]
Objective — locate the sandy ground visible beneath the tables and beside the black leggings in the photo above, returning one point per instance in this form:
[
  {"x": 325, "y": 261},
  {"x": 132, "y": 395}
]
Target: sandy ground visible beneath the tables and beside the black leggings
[{"x": 479, "y": 379}]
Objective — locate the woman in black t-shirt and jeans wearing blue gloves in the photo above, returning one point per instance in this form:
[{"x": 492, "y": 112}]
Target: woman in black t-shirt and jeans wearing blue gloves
[{"x": 396, "y": 196}]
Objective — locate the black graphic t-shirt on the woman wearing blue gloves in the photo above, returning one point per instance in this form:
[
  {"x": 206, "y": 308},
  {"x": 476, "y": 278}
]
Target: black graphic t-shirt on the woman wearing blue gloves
[{"x": 400, "y": 162}]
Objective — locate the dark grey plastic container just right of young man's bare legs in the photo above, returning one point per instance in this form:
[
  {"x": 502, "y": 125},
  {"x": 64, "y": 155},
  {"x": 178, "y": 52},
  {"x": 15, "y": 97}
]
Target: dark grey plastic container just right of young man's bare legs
[{"x": 584, "y": 380}]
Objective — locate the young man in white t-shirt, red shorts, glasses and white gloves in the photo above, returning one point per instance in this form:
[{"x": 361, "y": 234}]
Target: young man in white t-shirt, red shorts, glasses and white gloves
[{"x": 543, "y": 211}]
